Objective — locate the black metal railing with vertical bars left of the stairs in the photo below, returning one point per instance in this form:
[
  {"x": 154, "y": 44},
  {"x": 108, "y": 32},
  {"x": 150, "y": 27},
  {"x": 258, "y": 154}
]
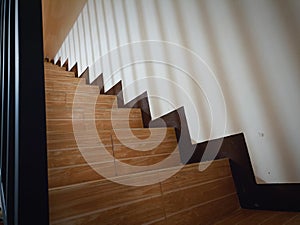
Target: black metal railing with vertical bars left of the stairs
[{"x": 23, "y": 156}]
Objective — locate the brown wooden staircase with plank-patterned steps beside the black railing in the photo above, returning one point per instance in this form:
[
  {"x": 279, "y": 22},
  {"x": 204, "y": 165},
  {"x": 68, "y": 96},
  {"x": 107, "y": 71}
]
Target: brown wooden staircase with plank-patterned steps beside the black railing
[{"x": 144, "y": 192}]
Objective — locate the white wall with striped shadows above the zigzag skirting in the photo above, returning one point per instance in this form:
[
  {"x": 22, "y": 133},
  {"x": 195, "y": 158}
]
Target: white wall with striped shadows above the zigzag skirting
[{"x": 233, "y": 65}]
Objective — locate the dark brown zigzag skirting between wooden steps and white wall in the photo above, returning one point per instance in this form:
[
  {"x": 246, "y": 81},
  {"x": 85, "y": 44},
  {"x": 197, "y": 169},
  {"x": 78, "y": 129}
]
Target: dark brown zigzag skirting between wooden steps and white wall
[{"x": 251, "y": 195}]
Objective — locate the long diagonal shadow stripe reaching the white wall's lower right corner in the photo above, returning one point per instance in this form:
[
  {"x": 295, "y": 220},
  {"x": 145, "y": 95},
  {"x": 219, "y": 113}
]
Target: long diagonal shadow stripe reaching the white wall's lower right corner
[{"x": 265, "y": 90}]
